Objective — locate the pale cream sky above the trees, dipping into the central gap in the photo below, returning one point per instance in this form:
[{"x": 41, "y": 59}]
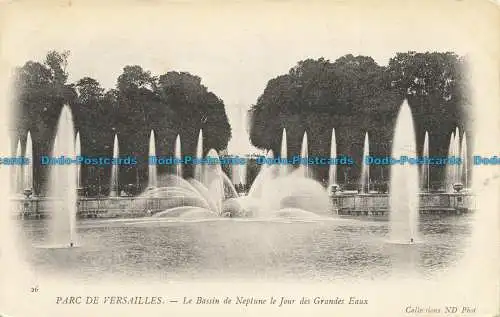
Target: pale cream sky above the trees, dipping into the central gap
[{"x": 234, "y": 47}]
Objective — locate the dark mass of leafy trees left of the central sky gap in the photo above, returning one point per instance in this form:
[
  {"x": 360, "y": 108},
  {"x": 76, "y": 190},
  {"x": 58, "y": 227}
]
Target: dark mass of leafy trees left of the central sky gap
[{"x": 172, "y": 103}]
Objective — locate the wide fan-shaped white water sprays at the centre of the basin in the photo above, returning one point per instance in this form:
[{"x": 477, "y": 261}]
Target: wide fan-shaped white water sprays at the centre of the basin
[{"x": 273, "y": 194}]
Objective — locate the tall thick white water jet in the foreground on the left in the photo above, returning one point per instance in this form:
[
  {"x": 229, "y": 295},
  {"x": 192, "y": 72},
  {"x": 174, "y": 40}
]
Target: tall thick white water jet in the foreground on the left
[{"x": 62, "y": 191}]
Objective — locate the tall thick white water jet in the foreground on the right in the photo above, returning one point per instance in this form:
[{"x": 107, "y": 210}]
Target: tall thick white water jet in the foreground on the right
[{"x": 404, "y": 199}]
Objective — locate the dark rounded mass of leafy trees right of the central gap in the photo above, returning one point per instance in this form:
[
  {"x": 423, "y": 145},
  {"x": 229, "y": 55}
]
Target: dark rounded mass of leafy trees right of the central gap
[{"x": 355, "y": 95}]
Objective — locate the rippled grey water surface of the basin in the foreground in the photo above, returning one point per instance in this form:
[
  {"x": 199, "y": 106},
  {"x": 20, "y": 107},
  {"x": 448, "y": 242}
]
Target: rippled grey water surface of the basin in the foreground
[{"x": 323, "y": 249}]
